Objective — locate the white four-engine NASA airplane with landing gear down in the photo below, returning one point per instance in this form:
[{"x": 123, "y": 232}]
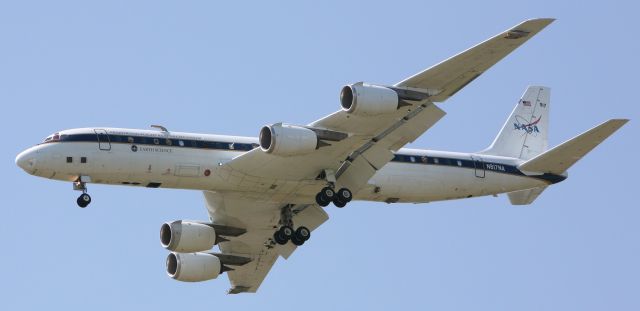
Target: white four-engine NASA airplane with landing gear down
[{"x": 266, "y": 195}]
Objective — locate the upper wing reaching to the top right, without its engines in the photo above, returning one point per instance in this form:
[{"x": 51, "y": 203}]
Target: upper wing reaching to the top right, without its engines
[{"x": 371, "y": 140}]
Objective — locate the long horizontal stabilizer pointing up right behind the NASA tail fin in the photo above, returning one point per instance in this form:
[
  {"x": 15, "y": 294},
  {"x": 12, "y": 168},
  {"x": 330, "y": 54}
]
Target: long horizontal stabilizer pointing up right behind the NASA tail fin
[{"x": 560, "y": 158}]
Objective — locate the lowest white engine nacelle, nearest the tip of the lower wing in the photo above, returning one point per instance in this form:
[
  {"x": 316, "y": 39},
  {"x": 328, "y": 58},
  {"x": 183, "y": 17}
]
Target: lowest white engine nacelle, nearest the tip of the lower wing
[{"x": 193, "y": 267}]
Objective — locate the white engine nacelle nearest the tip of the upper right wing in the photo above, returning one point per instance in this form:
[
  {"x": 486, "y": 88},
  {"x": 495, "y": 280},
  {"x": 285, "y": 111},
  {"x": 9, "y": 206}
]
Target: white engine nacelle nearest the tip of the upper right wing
[{"x": 367, "y": 99}]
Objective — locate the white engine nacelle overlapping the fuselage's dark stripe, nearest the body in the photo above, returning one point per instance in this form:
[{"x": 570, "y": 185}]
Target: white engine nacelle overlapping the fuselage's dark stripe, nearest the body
[{"x": 287, "y": 140}]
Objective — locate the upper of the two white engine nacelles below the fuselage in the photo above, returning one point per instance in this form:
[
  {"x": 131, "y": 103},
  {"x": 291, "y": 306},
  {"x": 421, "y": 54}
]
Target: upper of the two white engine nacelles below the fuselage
[{"x": 187, "y": 237}]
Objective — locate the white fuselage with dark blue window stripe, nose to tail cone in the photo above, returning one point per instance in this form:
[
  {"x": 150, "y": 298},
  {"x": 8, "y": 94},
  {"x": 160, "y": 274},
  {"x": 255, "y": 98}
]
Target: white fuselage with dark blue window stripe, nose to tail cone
[{"x": 193, "y": 161}]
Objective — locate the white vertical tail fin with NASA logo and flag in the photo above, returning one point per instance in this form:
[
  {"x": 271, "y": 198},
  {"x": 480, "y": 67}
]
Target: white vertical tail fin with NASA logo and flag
[{"x": 525, "y": 133}]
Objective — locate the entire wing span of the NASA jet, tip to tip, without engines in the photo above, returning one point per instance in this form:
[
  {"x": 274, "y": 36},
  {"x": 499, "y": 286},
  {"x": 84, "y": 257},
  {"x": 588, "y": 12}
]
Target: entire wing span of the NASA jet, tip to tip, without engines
[{"x": 359, "y": 145}]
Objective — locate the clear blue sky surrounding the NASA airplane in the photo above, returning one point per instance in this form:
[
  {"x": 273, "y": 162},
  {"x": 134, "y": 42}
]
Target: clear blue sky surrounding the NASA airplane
[{"x": 229, "y": 67}]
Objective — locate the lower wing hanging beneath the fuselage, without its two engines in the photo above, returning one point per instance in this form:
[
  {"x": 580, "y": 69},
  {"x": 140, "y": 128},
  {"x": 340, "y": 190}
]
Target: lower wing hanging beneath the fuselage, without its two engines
[{"x": 259, "y": 216}]
